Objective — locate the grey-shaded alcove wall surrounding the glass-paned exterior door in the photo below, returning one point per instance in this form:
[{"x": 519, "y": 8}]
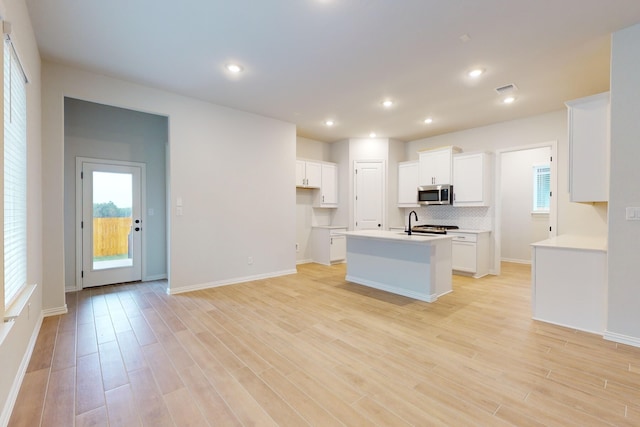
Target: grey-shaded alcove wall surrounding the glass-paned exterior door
[{"x": 104, "y": 132}]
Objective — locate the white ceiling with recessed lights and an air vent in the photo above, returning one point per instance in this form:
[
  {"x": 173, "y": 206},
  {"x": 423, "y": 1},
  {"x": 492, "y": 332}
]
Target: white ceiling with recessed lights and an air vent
[{"x": 306, "y": 61}]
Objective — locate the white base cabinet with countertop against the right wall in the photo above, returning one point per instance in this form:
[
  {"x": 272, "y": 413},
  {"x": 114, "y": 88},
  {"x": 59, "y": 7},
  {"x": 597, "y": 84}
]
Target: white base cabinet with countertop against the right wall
[{"x": 569, "y": 282}]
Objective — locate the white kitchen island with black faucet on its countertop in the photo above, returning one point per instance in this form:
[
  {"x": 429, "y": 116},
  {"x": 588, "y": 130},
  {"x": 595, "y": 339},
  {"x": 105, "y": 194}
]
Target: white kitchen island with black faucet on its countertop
[{"x": 416, "y": 266}]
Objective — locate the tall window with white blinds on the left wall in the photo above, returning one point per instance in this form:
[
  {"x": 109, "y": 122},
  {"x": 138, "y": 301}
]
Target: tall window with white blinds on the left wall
[{"x": 15, "y": 175}]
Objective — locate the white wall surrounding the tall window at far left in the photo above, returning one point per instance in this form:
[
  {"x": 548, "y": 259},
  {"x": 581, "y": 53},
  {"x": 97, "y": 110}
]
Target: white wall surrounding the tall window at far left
[{"x": 17, "y": 338}]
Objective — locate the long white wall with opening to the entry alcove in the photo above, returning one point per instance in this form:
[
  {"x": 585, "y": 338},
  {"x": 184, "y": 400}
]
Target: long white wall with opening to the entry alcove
[{"x": 234, "y": 171}]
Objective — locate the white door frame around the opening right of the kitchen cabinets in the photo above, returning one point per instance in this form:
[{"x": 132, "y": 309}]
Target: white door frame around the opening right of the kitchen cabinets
[{"x": 553, "y": 207}]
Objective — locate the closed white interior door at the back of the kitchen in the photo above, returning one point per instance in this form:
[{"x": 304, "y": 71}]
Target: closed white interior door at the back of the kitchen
[{"x": 369, "y": 195}]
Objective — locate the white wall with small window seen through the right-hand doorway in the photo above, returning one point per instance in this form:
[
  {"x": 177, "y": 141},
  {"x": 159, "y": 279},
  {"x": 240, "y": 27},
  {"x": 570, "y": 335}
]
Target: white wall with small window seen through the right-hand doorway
[{"x": 519, "y": 228}]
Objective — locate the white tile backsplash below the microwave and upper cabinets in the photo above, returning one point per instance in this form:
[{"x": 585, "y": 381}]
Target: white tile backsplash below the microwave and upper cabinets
[{"x": 474, "y": 218}]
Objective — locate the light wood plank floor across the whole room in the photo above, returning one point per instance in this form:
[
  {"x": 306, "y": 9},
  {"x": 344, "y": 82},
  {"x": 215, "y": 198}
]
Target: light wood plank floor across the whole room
[{"x": 312, "y": 349}]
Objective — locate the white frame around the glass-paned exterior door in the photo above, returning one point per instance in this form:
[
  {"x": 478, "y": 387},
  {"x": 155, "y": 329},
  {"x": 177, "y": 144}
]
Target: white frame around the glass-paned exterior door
[{"x": 78, "y": 203}]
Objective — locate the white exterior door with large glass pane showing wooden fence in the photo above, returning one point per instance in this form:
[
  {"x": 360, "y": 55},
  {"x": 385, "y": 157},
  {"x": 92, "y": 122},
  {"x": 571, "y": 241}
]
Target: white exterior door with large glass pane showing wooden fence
[{"x": 111, "y": 225}]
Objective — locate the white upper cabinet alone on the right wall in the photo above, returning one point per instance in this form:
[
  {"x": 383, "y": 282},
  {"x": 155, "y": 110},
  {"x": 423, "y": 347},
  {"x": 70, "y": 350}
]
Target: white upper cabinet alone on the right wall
[{"x": 589, "y": 138}]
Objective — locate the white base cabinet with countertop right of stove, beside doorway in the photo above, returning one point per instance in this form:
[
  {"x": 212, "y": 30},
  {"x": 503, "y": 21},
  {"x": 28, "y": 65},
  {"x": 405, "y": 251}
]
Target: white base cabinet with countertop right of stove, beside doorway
[{"x": 470, "y": 253}]
